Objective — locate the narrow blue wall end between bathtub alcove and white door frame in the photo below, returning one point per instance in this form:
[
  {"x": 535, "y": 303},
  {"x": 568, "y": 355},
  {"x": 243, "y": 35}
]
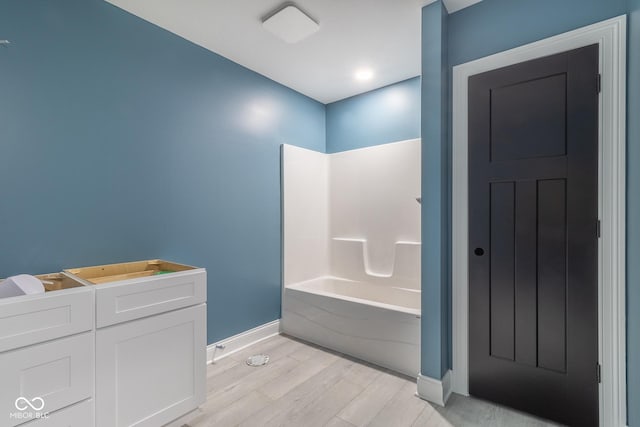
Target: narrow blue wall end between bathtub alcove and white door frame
[{"x": 435, "y": 218}]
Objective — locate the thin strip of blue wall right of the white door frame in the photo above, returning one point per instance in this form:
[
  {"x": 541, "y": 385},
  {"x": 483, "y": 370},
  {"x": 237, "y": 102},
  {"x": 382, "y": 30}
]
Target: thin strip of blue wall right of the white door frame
[{"x": 633, "y": 216}]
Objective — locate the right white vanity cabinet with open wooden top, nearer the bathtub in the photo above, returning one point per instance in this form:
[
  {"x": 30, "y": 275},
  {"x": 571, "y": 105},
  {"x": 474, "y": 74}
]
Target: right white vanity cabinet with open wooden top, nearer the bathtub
[{"x": 150, "y": 341}]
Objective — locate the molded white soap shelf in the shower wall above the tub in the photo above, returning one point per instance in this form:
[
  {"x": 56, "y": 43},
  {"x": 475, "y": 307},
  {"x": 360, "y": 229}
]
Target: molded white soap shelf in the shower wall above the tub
[{"x": 350, "y": 252}]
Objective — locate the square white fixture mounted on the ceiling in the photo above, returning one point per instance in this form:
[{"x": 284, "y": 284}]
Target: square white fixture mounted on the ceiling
[{"x": 290, "y": 24}]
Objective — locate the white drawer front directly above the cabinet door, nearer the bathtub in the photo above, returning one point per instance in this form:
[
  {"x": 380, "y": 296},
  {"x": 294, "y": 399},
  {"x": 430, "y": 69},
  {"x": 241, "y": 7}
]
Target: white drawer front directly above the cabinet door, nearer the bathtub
[{"x": 137, "y": 298}]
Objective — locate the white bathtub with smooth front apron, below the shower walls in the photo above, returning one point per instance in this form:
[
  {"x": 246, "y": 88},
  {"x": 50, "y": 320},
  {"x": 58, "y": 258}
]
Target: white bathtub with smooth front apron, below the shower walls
[{"x": 376, "y": 323}]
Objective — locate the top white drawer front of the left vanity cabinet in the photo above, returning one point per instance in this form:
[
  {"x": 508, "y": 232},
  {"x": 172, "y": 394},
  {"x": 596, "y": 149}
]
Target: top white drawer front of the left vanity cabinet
[{"x": 32, "y": 319}]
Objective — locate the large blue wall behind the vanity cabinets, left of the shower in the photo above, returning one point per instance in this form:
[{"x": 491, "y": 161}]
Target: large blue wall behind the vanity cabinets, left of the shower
[{"x": 120, "y": 141}]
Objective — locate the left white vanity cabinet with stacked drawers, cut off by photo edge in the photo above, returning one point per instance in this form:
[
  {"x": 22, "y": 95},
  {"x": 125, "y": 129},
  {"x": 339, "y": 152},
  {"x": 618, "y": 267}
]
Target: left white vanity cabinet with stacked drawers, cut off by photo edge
[{"x": 46, "y": 353}]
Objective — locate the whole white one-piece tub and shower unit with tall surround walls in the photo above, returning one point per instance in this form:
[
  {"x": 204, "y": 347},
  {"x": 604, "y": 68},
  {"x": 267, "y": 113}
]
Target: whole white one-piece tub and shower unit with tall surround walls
[{"x": 351, "y": 279}]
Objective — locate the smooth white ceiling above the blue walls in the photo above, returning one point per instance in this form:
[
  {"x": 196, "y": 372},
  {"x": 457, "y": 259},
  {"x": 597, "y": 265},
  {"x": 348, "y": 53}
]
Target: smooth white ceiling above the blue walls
[{"x": 383, "y": 35}]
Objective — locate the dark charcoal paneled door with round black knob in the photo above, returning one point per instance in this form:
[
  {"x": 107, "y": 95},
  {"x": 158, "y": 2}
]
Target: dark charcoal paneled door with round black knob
[{"x": 533, "y": 203}]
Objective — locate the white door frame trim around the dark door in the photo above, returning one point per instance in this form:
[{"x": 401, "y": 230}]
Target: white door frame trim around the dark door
[{"x": 610, "y": 35}]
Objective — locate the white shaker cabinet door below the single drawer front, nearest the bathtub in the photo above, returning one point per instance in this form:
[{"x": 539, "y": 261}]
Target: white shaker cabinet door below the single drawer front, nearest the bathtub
[{"x": 151, "y": 371}]
